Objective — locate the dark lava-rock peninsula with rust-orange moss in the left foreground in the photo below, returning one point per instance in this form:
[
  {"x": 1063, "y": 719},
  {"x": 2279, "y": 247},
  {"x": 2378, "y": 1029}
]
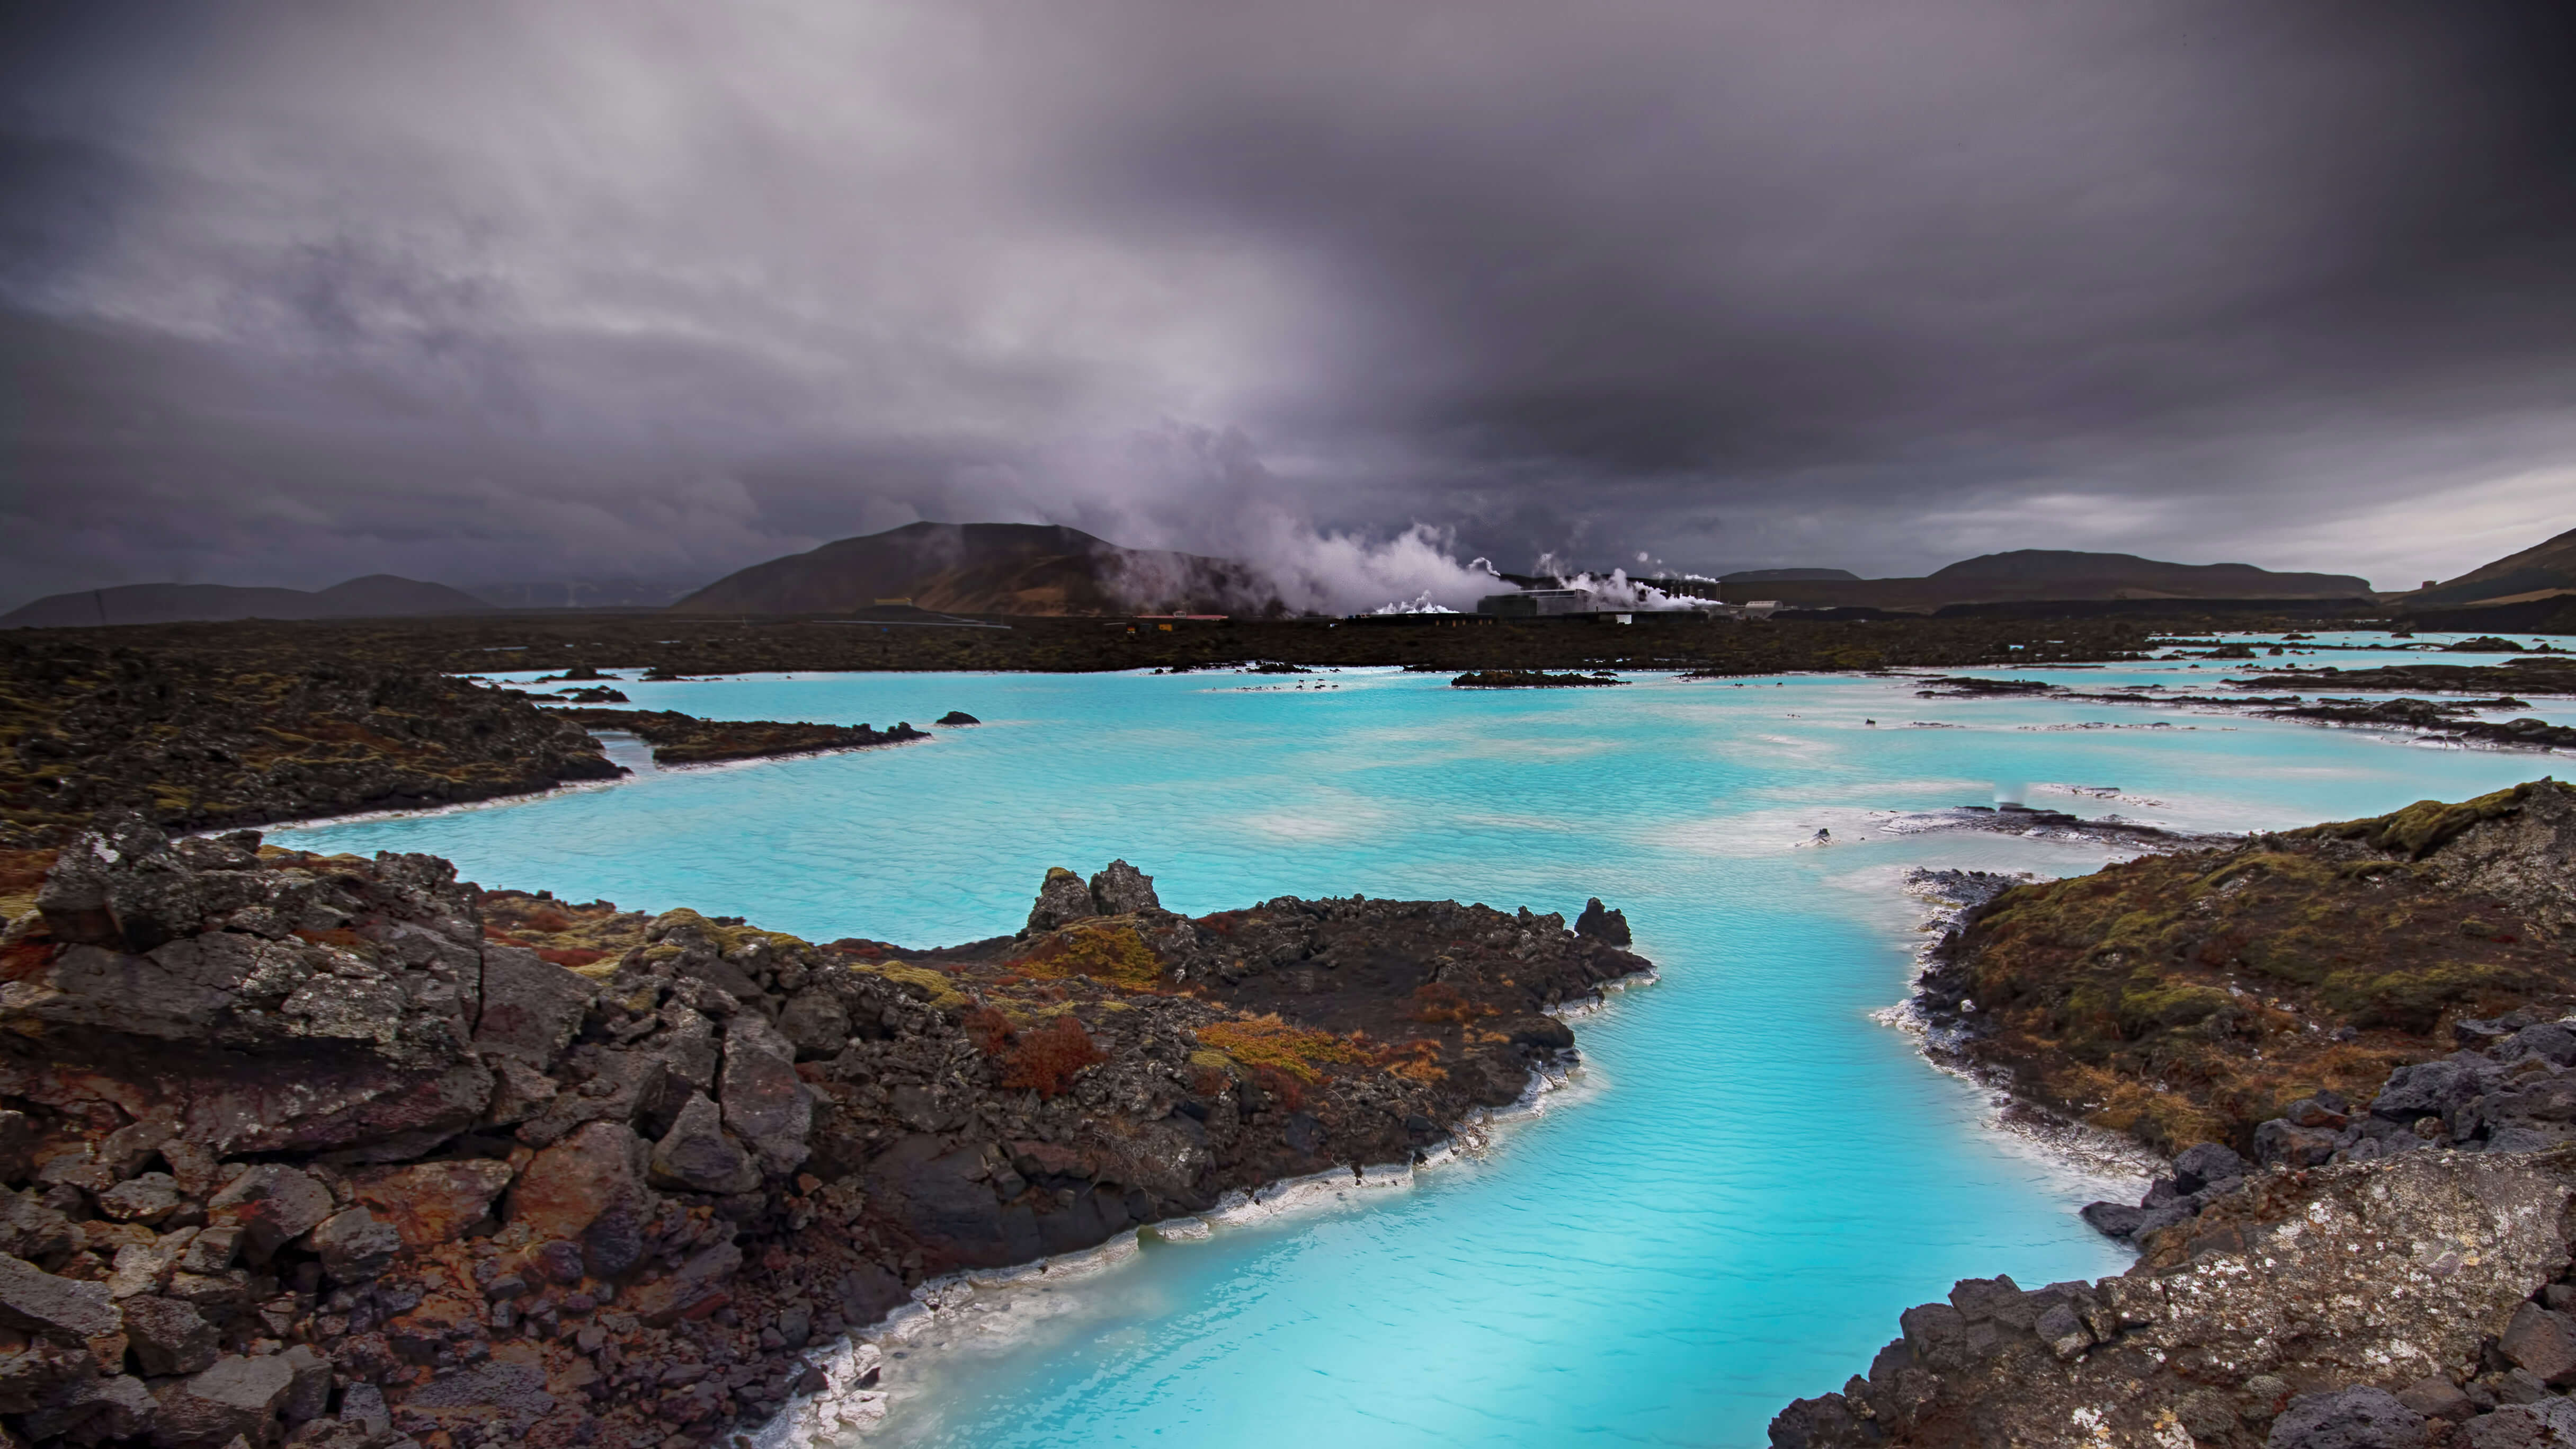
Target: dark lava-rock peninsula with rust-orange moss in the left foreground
[{"x": 359, "y": 1156}]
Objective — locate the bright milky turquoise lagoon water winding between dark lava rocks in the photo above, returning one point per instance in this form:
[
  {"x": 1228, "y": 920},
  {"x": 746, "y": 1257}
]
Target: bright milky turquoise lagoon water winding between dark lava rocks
[{"x": 1753, "y": 1177}]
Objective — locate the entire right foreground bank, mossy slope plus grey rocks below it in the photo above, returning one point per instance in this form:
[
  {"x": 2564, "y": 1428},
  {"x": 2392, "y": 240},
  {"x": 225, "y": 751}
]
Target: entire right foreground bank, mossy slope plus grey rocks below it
[{"x": 2369, "y": 1231}]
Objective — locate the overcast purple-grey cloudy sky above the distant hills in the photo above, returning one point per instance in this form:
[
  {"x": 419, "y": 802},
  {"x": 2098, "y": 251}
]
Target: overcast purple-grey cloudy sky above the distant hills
[{"x": 488, "y": 293}]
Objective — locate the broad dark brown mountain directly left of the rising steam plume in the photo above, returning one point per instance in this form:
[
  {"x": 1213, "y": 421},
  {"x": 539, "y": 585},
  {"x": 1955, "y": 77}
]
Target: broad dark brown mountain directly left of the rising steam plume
[{"x": 988, "y": 569}]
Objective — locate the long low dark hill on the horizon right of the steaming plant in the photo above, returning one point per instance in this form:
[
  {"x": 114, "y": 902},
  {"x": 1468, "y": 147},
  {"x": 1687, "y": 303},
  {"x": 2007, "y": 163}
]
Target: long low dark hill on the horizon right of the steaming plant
[{"x": 2060, "y": 576}]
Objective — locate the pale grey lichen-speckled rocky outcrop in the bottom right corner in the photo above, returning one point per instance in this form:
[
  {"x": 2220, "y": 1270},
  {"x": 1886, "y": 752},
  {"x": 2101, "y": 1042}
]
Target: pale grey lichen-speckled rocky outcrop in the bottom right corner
[{"x": 2394, "y": 1303}]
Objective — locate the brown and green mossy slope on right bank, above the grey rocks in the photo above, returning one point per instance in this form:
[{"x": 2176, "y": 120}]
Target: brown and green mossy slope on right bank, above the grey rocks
[{"x": 2191, "y": 997}]
